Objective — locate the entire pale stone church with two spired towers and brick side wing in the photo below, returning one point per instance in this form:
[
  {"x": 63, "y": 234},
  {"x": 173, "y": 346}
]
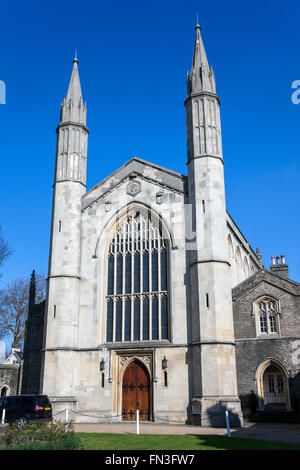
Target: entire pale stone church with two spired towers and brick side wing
[{"x": 156, "y": 301}]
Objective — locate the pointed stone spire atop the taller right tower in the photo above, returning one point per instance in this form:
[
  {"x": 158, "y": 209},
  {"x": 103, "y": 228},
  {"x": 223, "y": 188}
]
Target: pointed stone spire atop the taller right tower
[{"x": 201, "y": 77}]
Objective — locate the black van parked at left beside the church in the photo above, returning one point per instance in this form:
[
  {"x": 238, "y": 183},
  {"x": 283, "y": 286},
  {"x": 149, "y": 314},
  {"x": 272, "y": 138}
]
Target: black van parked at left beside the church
[{"x": 23, "y": 409}]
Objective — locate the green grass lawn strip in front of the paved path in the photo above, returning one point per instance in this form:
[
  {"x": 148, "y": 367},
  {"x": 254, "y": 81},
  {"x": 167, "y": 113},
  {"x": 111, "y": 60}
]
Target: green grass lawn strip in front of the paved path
[{"x": 99, "y": 441}]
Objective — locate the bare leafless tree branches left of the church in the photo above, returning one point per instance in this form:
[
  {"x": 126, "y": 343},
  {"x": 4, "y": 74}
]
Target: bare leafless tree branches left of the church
[{"x": 14, "y": 301}]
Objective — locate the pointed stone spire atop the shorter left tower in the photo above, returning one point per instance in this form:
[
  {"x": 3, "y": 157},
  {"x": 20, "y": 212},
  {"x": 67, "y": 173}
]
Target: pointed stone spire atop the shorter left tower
[{"x": 73, "y": 109}]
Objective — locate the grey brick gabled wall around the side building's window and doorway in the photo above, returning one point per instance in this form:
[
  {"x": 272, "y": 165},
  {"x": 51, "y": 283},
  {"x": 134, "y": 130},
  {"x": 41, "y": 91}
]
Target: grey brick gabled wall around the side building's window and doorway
[{"x": 253, "y": 350}]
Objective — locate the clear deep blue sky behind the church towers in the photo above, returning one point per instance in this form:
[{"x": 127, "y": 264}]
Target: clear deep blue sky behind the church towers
[{"x": 133, "y": 58}]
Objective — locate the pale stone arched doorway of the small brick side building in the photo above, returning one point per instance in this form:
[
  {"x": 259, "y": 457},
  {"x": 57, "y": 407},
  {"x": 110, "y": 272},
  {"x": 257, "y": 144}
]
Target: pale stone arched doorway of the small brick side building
[{"x": 272, "y": 386}]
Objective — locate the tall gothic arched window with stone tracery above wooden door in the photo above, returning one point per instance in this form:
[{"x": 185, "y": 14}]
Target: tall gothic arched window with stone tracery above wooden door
[{"x": 137, "y": 281}]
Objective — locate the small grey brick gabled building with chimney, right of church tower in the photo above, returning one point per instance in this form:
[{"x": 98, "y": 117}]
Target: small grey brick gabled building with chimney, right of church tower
[{"x": 266, "y": 312}]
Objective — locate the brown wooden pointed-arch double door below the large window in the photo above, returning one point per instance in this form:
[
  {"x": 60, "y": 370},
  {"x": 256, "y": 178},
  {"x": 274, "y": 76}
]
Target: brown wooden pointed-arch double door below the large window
[{"x": 135, "y": 392}]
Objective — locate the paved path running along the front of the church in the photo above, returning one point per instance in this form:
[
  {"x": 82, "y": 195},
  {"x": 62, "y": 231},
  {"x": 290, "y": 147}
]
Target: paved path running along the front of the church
[{"x": 268, "y": 432}]
